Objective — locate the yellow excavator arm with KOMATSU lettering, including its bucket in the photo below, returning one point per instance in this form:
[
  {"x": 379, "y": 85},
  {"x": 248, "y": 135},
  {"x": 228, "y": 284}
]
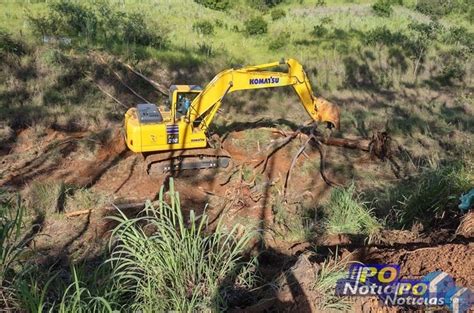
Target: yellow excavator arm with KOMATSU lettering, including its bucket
[{"x": 205, "y": 105}]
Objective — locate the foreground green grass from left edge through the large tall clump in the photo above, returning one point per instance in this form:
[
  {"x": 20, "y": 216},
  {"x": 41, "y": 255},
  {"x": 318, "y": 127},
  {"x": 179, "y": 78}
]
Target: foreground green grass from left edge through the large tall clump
[{"x": 158, "y": 261}]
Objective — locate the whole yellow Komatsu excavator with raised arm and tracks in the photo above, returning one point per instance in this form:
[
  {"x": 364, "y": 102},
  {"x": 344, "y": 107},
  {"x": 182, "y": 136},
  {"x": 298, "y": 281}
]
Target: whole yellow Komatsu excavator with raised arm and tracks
[{"x": 174, "y": 137}]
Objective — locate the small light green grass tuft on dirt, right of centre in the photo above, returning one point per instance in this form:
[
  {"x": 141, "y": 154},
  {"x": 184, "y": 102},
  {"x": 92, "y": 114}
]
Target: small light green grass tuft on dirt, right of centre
[{"x": 346, "y": 213}]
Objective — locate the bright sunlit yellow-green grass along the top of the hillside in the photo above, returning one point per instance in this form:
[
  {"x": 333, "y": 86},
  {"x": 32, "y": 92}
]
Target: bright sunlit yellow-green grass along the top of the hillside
[{"x": 299, "y": 21}]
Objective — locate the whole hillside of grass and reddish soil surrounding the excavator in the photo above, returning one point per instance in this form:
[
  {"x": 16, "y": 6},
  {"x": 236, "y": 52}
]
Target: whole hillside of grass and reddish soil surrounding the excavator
[{"x": 400, "y": 70}]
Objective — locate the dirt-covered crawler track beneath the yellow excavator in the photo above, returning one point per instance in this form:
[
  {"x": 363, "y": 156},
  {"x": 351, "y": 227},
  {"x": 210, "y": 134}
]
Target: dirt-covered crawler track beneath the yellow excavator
[{"x": 173, "y": 161}]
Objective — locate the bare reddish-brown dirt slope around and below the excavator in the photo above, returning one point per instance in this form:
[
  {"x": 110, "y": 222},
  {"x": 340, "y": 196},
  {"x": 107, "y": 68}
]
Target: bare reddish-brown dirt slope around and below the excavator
[{"x": 242, "y": 194}]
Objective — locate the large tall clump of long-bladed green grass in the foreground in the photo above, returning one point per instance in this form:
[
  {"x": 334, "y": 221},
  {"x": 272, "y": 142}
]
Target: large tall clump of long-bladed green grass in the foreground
[{"x": 169, "y": 264}]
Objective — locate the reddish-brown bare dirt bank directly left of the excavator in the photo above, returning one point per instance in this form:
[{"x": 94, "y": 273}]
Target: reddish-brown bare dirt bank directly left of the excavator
[{"x": 75, "y": 158}]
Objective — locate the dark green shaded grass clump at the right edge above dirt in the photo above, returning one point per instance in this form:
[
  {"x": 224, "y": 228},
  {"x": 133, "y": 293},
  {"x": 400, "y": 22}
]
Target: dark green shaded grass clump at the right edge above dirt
[{"x": 428, "y": 196}]
